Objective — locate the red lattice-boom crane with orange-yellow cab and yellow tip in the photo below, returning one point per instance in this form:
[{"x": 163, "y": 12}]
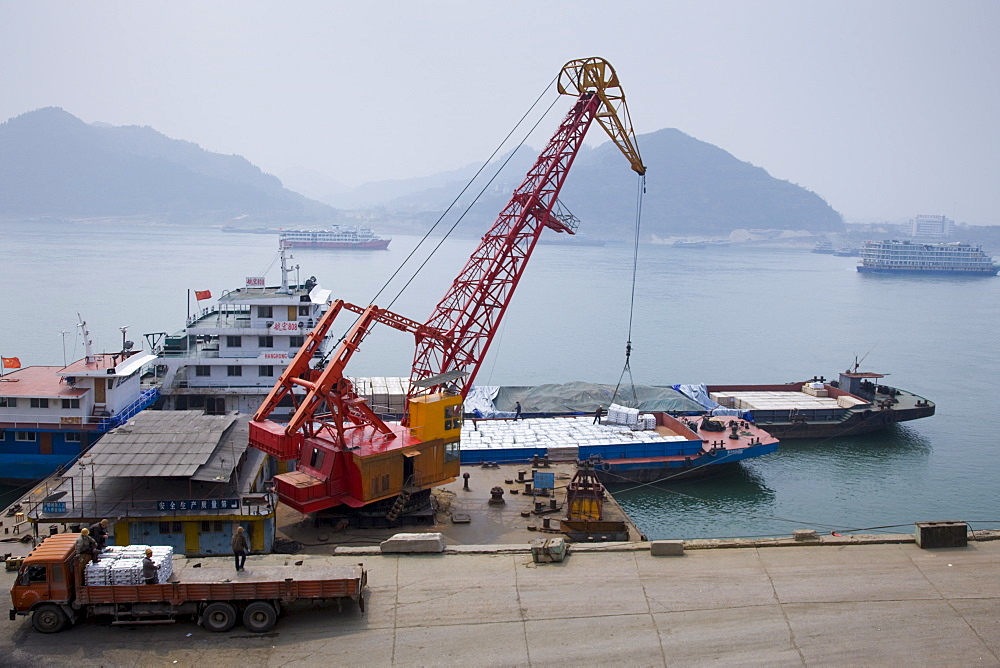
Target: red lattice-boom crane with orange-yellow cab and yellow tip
[{"x": 346, "y": 454}]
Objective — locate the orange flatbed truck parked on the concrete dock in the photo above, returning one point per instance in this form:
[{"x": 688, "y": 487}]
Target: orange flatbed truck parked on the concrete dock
[{"x": 46, "y": 588}]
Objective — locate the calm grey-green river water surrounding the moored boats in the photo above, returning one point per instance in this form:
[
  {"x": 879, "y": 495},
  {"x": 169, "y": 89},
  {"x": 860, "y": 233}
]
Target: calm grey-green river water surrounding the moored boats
[{"x": 716, "y": 315}]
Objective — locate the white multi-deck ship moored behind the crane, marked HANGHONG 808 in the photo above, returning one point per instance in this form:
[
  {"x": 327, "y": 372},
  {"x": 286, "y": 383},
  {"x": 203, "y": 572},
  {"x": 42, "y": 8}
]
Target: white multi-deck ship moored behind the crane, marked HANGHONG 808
[{"x": 230, "y": 354}]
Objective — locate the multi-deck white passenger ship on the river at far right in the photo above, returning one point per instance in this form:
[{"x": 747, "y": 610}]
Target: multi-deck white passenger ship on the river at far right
[{"x": 929, "y": 259}]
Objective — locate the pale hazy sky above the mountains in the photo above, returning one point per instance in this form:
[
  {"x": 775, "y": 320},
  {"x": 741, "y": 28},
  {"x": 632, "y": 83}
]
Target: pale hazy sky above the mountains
[{"x": 886, "y": 109}]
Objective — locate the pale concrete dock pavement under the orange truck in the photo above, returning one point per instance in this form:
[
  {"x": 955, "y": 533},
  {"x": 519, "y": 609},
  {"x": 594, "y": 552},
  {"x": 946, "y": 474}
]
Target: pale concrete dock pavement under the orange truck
[{"x": 851, "y": 604}]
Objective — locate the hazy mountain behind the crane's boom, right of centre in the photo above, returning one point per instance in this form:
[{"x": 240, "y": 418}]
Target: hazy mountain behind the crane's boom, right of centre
[{"x": 692, "y": 188}]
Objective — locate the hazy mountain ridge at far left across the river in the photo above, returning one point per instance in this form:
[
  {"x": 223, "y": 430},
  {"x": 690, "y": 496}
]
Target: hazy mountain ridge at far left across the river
[{"x": 54, "y": 164}]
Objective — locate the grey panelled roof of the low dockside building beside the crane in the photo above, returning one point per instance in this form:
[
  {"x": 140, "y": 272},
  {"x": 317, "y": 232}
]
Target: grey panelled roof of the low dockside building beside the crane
[{"x": 168, "y": 444}]
